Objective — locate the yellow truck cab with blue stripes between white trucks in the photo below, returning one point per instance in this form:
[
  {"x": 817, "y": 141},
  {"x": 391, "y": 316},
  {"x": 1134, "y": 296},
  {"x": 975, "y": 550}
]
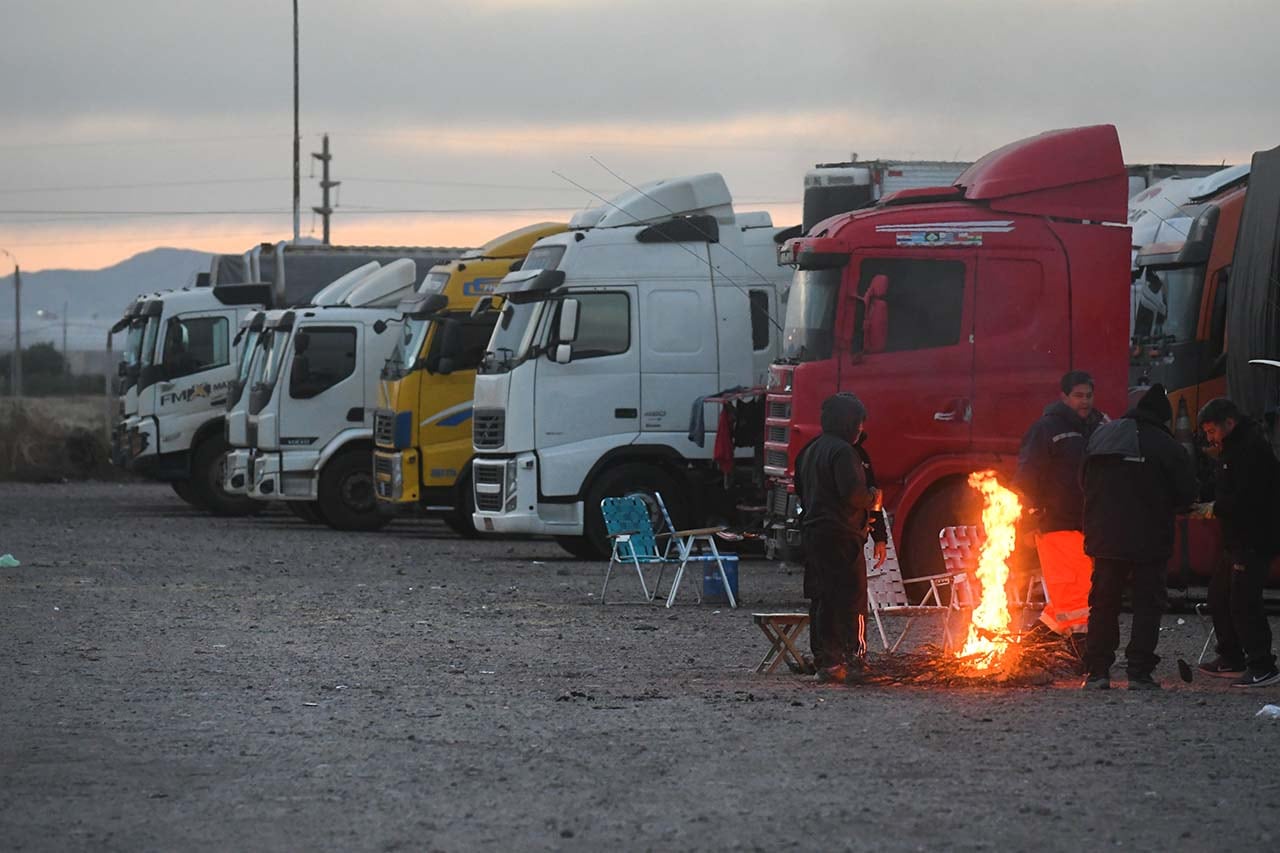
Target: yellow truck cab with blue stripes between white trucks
[{"x": 423, "y": 426}]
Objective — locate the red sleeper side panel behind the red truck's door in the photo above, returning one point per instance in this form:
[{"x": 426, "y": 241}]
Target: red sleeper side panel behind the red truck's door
[{"x": 1022, "y": 346}]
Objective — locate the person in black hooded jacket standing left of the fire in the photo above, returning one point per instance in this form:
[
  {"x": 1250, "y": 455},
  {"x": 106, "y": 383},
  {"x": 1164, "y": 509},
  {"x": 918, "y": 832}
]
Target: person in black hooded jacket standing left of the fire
[{"x": 836, "y": 505}]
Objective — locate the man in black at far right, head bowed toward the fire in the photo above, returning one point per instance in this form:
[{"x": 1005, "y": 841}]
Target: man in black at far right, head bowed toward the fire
[{"x": 1247, "y": 501}]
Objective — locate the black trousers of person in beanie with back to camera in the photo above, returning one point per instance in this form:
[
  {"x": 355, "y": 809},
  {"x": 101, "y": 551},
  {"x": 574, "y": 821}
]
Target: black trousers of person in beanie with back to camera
[{"x": 1148, "y": 590}]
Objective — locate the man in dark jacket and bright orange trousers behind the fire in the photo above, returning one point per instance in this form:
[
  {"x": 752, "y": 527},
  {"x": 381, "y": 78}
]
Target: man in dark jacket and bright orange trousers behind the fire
[{"x": 1049, "y": 480}]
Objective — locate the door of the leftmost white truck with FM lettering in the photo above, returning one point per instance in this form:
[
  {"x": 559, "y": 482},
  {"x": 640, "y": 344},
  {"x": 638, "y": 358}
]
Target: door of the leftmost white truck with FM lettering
[{"x": 198, "y": 368}]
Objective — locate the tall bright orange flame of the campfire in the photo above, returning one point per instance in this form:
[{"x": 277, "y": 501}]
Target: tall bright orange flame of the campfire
[{"x": 989, "y": 628}]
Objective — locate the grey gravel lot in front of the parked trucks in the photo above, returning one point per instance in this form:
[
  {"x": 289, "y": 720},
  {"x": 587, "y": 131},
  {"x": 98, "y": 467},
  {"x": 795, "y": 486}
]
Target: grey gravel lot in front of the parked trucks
[{"x": 173, "y": 682}]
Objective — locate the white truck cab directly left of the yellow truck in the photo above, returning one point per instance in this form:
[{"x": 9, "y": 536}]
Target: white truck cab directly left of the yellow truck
[{"x": 310, "y": 417}]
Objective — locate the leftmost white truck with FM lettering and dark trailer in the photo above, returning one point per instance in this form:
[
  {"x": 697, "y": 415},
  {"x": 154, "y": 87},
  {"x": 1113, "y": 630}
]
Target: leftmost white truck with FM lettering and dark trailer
[{"x": 177, "y": 432}]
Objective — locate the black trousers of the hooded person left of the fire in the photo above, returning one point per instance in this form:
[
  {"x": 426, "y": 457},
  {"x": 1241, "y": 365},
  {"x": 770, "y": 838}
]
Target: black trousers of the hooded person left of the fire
[{"x": 835, "y": 581}]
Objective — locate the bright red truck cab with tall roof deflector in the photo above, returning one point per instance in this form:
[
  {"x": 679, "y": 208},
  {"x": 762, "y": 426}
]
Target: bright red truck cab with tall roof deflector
[{"x": 954, "y": 313}]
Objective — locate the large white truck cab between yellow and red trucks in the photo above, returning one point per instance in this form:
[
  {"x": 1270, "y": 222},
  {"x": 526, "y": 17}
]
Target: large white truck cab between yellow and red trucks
[{"x": 609, "y": 335}]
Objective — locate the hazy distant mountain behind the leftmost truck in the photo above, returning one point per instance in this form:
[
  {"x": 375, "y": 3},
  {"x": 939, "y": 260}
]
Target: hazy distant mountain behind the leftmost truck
[{"x": 94, "y": 299}]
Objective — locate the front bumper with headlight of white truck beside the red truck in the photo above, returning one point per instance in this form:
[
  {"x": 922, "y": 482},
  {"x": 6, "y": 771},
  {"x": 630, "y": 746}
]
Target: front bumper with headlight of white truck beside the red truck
[{"x": 508, "y": 501}]
